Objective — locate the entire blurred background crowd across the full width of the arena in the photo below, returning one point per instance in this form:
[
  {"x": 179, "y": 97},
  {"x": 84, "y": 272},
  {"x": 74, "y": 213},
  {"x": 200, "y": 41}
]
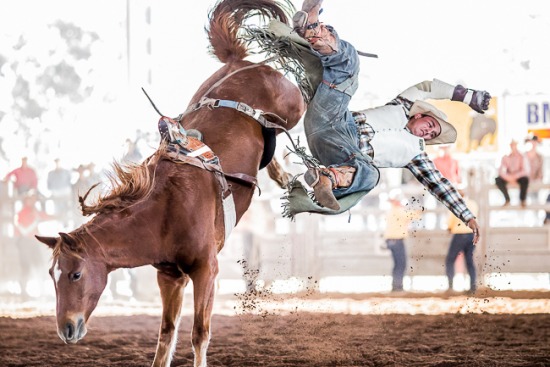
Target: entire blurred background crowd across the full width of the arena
[{"x": 31, "y": 210}]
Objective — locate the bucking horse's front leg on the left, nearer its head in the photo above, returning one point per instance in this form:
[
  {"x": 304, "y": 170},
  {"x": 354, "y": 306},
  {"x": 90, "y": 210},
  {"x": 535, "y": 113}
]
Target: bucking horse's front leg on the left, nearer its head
[{"x": 171, "y": 291}]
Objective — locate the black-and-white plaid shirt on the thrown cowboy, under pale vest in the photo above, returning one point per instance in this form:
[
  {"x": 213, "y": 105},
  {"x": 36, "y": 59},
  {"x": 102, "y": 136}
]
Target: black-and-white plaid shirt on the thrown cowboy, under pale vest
[{"x": 420, "y": 166}]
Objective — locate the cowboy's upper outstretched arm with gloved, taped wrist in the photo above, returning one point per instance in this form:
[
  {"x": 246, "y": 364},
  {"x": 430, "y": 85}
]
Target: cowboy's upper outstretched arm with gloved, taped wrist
[{"x": 436, "y": 89}]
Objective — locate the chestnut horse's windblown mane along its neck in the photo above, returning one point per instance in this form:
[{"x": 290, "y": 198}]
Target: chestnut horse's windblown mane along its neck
[{"x": 130, "y": 183}]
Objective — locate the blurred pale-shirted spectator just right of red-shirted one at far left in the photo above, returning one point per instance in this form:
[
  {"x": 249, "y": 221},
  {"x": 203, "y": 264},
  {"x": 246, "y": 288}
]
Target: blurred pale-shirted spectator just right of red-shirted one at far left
[{"x": 59, "y": 185}]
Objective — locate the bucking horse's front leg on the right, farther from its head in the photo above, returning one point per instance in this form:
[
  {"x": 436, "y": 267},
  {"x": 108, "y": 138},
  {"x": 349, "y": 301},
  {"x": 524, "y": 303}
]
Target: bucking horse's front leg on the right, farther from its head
[{"x": 204, "y": 278}]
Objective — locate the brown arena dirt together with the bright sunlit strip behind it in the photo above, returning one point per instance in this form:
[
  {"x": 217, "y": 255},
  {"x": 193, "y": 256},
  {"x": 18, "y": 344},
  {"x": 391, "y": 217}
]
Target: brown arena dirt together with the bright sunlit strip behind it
[{"x": 490, "y": 329}]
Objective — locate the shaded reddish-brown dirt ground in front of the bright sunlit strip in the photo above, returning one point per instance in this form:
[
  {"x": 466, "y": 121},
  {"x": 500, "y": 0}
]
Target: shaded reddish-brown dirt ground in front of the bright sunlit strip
[{"x": 292, "y": 339}]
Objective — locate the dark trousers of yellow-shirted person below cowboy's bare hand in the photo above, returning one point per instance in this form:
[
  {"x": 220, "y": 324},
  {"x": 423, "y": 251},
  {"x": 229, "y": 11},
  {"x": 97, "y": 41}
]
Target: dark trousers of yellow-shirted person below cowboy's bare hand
[{"x": 461, "y": 242}]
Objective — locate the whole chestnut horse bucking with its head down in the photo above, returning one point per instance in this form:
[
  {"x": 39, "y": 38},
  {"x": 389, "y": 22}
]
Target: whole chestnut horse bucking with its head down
[{"x": 168, "y": 214}]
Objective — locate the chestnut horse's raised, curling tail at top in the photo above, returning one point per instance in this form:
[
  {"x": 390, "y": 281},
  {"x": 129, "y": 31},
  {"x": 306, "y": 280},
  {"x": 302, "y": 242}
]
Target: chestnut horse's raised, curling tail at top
[{"x": 227, "y": 17}]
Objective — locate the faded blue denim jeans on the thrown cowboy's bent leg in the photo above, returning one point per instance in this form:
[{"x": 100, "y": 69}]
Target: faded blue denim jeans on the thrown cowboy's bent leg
[{"x": 332, "y": 138}]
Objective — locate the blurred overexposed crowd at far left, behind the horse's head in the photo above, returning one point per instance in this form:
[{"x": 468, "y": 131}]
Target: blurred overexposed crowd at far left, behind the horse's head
[{"x": 32, "y": 204}]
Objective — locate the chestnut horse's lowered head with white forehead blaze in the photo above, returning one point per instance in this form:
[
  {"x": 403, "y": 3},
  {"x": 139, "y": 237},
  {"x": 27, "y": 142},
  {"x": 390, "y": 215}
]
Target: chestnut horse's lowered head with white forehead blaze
[{"x": 79, "y": 281}]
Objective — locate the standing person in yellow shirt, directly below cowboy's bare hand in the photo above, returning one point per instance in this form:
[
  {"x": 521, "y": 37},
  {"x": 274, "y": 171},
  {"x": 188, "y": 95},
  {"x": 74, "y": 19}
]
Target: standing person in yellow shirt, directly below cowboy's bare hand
[{"x": 462, "y": 242}]
